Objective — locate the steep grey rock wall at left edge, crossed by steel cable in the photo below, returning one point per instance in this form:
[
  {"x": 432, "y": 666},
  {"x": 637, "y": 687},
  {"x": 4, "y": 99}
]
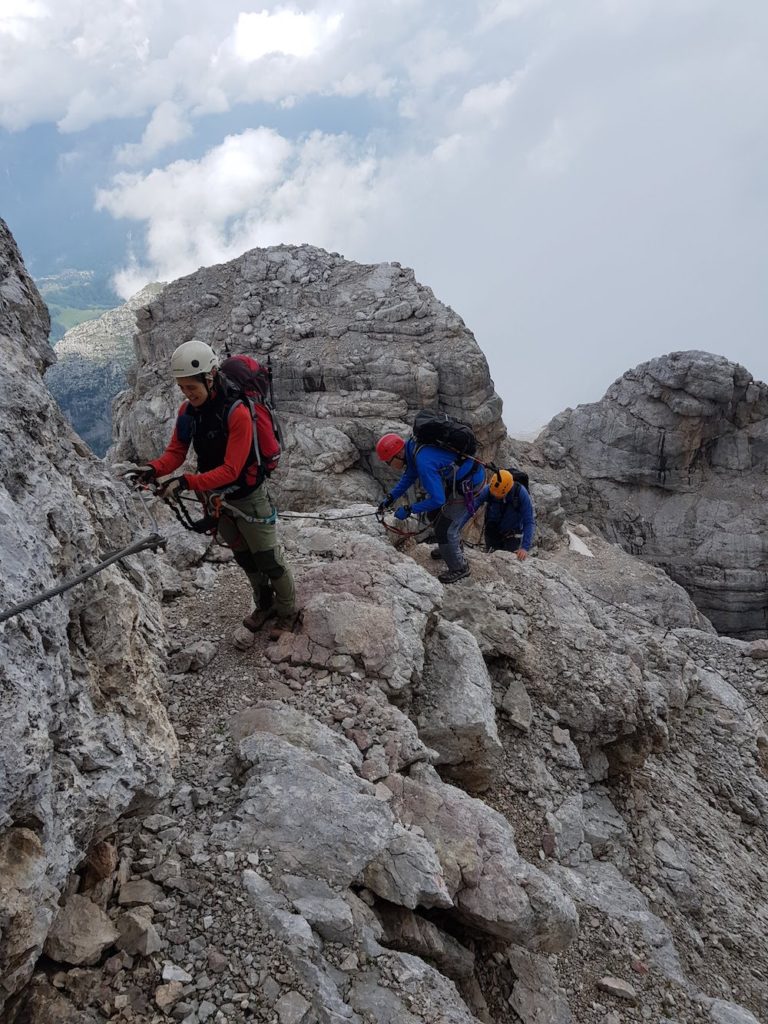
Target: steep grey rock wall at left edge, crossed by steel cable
[{"x": 83, "y": 732}]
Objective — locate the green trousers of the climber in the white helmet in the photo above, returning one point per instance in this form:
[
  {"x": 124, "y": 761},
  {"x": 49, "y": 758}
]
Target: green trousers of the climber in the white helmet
[{"x": 259, "y": 553}]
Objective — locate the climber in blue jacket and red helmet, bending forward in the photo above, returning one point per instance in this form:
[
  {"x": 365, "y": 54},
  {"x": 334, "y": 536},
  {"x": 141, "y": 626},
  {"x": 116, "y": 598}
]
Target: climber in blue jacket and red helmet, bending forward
[{"x": 452, "y": 486}]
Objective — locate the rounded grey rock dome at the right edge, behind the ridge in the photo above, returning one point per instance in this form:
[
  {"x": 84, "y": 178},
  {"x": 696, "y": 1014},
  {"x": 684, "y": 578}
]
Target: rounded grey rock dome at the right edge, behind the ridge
[{"x": 672, "y": 464}]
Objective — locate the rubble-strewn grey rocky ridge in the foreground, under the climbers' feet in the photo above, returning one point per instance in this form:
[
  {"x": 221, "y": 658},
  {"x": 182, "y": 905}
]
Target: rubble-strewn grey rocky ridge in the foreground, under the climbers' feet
[{"x": 319, "y": 862}]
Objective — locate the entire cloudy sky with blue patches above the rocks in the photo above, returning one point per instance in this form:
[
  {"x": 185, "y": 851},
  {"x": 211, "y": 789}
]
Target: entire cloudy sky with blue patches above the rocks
[{"x": 583, "y": 181}]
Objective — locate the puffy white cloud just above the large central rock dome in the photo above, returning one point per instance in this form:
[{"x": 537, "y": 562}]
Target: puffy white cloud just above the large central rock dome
[{"x": 255, "y": 189}]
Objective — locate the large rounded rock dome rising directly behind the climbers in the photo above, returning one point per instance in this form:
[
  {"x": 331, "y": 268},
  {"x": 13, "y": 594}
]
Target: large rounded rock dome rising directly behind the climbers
[{"x": 355, "y": 350}]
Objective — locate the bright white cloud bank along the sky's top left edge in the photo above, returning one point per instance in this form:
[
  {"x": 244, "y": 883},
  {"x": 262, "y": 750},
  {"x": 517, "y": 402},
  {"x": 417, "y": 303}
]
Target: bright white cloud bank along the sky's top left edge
[{"x": 118, "y": 61}]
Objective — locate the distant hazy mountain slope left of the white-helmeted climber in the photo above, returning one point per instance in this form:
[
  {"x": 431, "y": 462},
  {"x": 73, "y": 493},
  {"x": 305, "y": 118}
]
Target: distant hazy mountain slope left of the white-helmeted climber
[{"x": 93, "y": 364}]
